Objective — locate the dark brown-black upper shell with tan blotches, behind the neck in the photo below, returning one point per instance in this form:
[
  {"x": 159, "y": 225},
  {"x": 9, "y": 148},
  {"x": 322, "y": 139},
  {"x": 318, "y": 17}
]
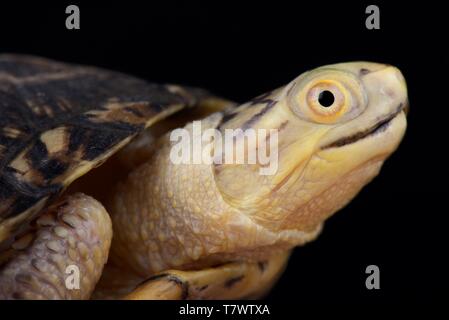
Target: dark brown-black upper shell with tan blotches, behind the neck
[{"x": 58, "y": 121}]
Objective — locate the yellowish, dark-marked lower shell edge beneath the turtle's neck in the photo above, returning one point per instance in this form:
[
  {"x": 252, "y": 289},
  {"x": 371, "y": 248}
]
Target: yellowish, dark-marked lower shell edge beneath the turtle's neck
[{"x": 237, "y": 280}]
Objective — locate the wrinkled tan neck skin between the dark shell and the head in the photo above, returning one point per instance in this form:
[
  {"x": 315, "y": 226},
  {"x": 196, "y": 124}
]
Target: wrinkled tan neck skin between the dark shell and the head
[{"x": 181, "y": 214}]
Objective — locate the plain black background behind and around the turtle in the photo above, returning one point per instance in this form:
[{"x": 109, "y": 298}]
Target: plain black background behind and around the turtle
[{"x": 398, "y": 222}]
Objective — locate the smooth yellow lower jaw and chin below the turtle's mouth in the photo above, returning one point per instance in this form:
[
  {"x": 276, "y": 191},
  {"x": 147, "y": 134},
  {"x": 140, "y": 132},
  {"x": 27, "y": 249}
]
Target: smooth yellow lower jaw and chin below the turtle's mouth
[{"x": 333, "y": 177}]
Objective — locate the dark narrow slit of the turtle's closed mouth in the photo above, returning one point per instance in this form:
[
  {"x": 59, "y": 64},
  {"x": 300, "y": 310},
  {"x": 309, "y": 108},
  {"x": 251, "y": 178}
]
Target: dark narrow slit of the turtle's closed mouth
[{"x": 377, "y": 128}]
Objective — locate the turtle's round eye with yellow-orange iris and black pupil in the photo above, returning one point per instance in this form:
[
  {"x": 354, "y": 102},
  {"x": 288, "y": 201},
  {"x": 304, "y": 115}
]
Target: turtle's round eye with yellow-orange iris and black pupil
[{"x": 327, "y": 101}]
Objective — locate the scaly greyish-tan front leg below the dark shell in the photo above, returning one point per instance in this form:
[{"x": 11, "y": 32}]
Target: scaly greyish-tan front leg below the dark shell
[{"x": 76, "y": 231}]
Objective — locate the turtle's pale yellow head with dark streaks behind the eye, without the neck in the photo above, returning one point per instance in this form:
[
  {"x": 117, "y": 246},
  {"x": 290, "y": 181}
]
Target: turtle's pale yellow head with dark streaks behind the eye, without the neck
[{"x": 335, "y": 127}]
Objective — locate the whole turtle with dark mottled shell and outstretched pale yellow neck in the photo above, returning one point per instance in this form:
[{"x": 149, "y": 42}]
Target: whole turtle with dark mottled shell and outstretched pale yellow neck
[{"x": 97, "y": 203}]
